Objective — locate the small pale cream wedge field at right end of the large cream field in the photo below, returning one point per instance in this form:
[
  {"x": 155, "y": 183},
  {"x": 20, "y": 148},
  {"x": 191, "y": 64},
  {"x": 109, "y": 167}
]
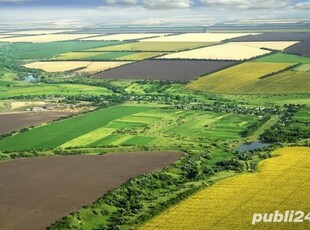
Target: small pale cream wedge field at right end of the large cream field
[{"x": 268, "y": 45}]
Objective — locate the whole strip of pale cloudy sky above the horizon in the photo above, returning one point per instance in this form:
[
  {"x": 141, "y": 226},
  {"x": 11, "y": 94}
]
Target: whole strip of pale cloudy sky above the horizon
[{"x": 153, "y": 11}]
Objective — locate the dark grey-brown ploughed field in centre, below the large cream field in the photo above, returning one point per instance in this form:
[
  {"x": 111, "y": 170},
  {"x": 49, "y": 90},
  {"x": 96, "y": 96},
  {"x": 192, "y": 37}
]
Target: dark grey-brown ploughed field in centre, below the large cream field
[{"x": 174, "y": 70}]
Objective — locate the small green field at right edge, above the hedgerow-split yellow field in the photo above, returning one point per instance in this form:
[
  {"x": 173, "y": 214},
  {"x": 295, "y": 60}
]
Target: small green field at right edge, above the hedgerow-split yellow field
[{"x": 284, "y": 58}]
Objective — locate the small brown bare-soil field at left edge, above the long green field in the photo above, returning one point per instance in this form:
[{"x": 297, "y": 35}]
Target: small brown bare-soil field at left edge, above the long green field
[{"x": 16, "y": 121}]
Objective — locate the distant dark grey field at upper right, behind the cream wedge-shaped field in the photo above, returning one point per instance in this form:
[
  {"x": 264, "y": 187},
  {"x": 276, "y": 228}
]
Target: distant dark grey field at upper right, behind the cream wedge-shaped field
[{"x": 273, "y": 37}]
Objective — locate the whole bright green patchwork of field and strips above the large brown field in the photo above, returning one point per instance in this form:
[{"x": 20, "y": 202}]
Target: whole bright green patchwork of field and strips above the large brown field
[{"x": 131, "y": 125}]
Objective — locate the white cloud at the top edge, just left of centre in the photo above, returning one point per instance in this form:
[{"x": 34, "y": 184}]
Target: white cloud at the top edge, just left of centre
[{"x": 153, "y": 4}]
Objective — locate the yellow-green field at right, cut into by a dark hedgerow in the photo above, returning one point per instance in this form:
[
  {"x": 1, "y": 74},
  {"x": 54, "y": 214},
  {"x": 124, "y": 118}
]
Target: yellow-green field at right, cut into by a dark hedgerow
[{"x": 248, "y": 78}]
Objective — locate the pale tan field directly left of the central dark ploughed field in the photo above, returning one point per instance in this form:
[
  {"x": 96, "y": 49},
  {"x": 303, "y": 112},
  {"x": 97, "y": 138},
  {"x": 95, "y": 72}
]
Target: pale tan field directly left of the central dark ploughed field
[{"x": 82, "y": 66}]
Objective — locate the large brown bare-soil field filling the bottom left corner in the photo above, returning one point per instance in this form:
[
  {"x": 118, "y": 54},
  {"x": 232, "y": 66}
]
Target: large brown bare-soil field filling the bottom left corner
[{"x": 38, "y": 191}]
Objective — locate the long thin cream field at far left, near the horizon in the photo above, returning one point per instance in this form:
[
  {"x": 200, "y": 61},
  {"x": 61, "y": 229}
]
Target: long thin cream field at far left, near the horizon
[{"x": 47, "y": 38}]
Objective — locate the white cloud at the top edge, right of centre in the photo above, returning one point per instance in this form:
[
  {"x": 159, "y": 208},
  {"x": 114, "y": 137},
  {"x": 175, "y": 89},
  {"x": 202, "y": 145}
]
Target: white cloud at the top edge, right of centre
[{"x": 246, "y": 4}]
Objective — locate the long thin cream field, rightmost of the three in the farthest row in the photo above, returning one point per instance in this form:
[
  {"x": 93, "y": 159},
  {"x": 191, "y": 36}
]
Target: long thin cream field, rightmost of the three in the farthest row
[{"x": 198, "y": 37}]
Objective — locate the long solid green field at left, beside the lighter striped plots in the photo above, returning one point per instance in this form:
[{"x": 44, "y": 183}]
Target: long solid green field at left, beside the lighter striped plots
[{"x": 58, "y": 133}]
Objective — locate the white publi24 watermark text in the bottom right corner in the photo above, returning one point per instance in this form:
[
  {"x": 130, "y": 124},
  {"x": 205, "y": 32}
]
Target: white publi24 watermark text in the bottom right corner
[{"x": 279, "y": 217}]
